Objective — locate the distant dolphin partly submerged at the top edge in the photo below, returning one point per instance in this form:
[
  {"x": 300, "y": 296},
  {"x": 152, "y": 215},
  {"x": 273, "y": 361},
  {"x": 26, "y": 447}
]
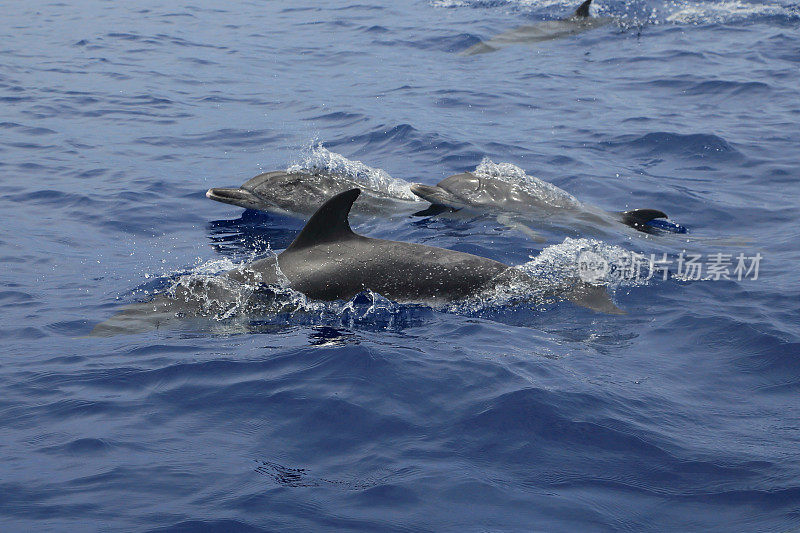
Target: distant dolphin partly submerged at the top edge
[{"x": 579, "y": 22}]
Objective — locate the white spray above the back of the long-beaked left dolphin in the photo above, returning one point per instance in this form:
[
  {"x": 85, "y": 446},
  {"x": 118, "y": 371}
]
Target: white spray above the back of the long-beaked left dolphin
[{"x": 317, "y": 157}]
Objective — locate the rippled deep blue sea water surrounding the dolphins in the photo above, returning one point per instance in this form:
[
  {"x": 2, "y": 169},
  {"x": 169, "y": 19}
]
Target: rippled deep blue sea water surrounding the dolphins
[{"x": 681, "y": 415}]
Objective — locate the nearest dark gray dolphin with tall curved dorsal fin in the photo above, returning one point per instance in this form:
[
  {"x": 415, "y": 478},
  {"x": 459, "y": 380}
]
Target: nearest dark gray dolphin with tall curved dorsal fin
[{"x": 327, "y": 261}]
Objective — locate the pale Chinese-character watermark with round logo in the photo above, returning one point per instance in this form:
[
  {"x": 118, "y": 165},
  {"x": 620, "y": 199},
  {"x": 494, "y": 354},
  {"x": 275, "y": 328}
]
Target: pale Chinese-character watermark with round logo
[{"x": 593, "y": 267}]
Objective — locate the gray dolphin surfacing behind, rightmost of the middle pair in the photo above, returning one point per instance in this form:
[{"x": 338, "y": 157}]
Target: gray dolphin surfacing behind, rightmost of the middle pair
[{"x": 515, "y": 204}]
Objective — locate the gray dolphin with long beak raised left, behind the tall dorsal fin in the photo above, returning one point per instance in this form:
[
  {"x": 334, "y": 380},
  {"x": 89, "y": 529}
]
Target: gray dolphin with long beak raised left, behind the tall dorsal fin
[{"x": 300, "y": 193}]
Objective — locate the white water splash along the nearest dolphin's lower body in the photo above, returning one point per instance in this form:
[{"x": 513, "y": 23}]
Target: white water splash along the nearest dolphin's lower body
[{"x": 555, "y": 271}]
